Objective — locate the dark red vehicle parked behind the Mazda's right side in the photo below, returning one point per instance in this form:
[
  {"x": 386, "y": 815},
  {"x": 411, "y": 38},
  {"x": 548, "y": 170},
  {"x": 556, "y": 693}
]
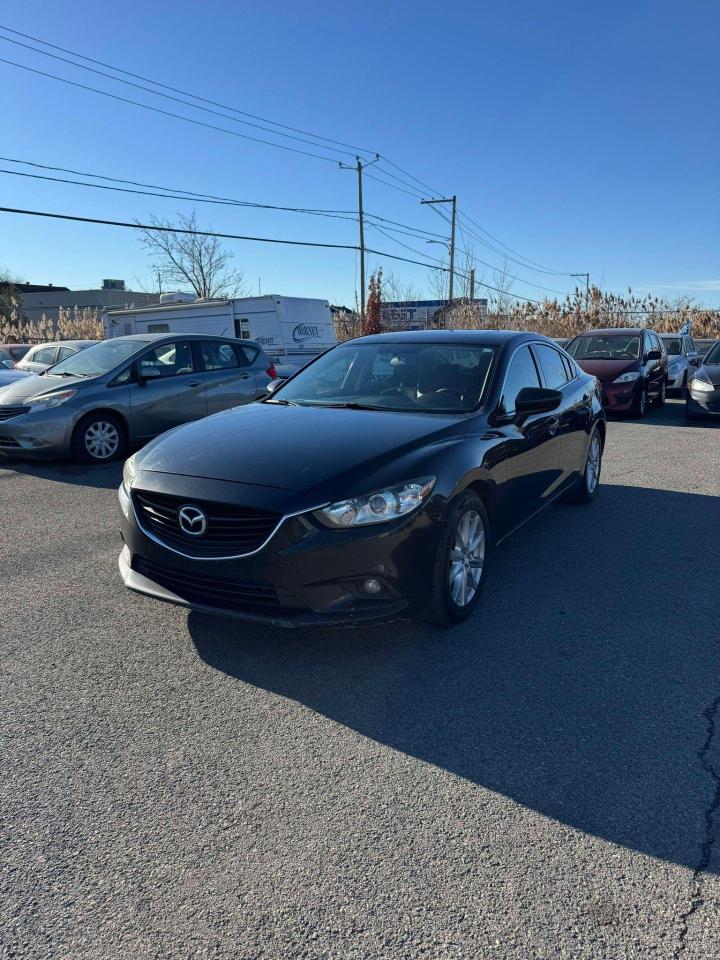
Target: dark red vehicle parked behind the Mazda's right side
[{"x": 631, "y": 365}]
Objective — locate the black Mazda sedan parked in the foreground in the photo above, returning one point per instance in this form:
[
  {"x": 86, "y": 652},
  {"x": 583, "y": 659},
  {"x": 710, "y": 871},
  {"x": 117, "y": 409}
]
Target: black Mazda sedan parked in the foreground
[{"x": 373, "y": 482}]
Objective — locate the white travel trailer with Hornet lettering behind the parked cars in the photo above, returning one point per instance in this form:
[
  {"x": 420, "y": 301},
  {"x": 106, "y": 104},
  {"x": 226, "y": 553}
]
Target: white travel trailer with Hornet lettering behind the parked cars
[{"x": 291, "y": 330}]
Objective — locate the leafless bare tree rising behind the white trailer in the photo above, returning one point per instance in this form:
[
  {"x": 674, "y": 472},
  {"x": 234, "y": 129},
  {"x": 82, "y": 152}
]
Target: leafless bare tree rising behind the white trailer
[{"x": 189, "y": 259}]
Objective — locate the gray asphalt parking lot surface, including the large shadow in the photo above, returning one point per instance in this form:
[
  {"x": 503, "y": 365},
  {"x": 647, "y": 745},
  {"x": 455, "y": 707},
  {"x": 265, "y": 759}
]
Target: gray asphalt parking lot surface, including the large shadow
[{"x": 542, "y": 782}]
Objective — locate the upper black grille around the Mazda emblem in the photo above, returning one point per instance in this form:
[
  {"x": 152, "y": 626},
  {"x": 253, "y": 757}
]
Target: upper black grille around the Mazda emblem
[{"x": 231, "y": 531}]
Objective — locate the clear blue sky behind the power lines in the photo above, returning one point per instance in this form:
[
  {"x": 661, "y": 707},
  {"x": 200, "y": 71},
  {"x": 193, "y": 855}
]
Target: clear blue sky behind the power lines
[{"x": 583, "y": 136}]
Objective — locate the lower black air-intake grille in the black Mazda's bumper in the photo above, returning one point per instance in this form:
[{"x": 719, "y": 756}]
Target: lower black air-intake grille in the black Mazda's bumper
[{"x": 210, "y": 591}]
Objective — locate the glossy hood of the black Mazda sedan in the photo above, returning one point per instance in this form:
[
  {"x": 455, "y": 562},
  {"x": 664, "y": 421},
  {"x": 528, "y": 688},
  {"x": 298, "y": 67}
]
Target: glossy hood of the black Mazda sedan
[{"x": 296, "y": 448}]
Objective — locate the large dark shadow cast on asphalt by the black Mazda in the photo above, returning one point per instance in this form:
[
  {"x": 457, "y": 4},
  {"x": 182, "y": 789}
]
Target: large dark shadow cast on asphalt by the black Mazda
[{"x": 578, "y": 689}]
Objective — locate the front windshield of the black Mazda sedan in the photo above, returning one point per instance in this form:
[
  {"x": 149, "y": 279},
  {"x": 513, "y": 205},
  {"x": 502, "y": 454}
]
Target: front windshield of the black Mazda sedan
[{"x": 427, "y": 377}]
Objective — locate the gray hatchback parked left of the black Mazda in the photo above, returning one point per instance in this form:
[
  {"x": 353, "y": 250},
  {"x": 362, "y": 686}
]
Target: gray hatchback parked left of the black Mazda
[{"x": 126, "y": 390}]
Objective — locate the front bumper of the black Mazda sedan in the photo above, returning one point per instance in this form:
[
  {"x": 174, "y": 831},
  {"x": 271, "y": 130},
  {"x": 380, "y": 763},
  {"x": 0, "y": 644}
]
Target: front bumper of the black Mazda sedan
[{"x": 305, "y": 575}]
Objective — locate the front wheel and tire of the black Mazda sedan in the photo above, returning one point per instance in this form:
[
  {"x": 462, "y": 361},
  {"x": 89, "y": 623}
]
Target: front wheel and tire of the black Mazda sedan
[{"x": 460, "y": 562}]
